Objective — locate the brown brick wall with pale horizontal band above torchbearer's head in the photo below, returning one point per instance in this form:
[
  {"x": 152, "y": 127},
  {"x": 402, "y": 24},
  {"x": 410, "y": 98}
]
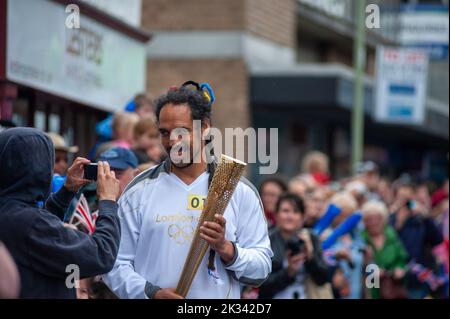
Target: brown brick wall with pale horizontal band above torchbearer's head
[{"x": 194, "y": 23}]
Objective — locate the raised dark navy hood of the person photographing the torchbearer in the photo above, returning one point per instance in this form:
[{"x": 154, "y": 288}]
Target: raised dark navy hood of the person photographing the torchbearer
[{"x": 27, "y": 157}]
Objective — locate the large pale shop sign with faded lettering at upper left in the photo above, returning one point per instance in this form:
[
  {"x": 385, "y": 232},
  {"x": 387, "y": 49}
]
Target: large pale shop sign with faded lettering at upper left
[{"x": 89, "y": 63}]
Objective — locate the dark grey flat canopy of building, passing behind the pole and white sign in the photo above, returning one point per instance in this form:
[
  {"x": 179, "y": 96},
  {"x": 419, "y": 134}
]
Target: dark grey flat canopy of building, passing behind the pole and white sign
[{"x": 329, "y": 86}]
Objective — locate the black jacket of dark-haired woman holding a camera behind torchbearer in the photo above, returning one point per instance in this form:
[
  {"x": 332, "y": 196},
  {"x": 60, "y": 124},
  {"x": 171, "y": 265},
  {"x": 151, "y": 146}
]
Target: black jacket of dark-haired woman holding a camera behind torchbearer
[{"x": 279, "y": 278}]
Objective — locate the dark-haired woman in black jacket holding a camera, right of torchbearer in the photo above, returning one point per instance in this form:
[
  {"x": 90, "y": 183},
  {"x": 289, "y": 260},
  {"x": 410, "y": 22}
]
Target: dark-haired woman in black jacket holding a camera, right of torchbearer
[{"x": 298, "y": 269}]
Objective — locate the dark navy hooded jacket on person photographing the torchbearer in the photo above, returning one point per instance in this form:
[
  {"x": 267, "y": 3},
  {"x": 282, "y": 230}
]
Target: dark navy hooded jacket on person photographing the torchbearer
[{"x": 36, "y": 238}]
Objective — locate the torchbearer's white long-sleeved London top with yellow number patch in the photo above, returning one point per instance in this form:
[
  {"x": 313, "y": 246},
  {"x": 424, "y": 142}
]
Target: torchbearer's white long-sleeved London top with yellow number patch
[{"x": 159, "y": 214}]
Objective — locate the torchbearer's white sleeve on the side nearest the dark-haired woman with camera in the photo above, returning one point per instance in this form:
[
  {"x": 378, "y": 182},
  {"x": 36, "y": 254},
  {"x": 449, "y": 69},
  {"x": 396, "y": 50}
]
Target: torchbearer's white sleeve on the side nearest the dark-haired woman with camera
[{"x": 252, "y": 263}]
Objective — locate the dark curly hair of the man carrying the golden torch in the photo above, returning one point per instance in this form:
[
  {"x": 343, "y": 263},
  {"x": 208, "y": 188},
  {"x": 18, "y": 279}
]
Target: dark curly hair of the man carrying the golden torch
[{"x": 197, "y": 102}]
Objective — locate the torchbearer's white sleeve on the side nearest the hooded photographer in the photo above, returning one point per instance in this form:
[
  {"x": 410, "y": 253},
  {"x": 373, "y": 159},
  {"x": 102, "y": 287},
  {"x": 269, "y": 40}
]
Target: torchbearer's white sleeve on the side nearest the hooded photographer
[{"x": 123, "y": 280}]
